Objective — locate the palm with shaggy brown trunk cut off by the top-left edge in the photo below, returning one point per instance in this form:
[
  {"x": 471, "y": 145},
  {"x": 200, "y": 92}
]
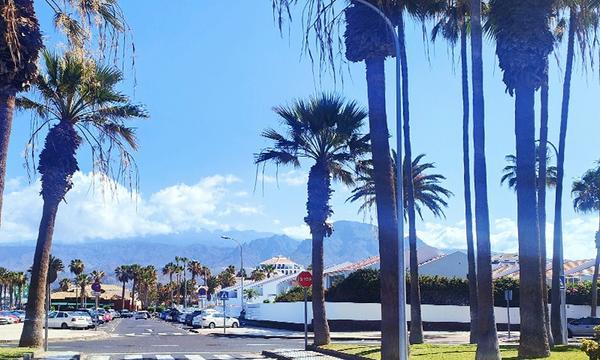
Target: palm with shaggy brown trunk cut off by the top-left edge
[{"x": 20, "y": 45}]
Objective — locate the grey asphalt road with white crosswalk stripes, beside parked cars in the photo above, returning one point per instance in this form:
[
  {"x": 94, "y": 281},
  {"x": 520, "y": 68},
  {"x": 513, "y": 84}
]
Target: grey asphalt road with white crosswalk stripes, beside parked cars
[{"x": 157, "y": 339}]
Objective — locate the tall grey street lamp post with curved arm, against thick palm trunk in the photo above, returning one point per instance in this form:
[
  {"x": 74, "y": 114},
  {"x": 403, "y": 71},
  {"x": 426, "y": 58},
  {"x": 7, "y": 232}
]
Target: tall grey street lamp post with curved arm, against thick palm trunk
[{"x": 403, "y": 338}]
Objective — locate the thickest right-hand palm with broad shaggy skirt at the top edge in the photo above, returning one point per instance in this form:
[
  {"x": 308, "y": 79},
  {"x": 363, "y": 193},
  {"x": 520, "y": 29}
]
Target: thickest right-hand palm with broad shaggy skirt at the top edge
[{"x": 523, "y": 42}]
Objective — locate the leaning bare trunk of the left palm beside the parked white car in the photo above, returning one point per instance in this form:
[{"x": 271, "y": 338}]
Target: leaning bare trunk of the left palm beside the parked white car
[{"x": 33, "y": 327}]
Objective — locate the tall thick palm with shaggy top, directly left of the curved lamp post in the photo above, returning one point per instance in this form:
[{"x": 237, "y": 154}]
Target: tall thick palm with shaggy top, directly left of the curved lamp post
[{"x": 367, "y": 39}]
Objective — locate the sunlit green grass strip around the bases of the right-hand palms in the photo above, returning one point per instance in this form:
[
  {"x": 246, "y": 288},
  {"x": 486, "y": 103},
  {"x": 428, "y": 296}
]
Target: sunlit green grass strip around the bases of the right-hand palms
[{"x": 451, "y": 352}]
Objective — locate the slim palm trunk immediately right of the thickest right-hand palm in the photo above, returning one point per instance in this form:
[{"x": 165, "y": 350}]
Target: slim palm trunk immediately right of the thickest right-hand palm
[{"x": 541, "y": 198}]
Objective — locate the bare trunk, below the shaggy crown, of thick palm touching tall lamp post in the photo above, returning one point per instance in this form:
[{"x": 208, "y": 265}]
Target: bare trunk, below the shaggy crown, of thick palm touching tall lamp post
[{"x": 387, "y": 220}]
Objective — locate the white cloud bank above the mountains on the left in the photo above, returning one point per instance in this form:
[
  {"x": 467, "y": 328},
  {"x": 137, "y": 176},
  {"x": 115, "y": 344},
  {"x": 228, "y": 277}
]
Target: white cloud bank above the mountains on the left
[{"x": 99, "y": 210}]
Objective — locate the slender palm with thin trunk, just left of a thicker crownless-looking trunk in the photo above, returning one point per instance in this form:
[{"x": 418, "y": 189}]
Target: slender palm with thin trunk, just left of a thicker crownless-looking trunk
[{"x": 453, "y": 25}]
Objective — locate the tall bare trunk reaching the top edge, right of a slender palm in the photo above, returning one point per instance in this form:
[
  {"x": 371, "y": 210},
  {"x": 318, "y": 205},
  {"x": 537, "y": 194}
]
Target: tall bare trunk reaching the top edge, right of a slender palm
[{"x": 487, "y": 340}]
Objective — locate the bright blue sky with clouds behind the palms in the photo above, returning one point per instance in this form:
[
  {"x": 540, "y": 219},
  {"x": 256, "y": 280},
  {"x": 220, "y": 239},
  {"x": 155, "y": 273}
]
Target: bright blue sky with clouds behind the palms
[{"x": 209, "y": 73}]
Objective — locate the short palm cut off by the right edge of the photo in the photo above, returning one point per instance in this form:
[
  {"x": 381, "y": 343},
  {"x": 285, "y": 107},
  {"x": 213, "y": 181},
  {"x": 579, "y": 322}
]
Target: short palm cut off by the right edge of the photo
[{"x": 586, "y": 199}]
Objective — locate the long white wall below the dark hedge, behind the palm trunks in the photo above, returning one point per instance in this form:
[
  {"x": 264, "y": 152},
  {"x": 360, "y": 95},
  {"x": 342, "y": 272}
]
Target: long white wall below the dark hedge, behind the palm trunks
[{"x": 294, "y": 312}]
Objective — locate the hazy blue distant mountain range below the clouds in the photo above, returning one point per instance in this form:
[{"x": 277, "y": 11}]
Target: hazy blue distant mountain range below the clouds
[{"x": 350, "y": 241}]
